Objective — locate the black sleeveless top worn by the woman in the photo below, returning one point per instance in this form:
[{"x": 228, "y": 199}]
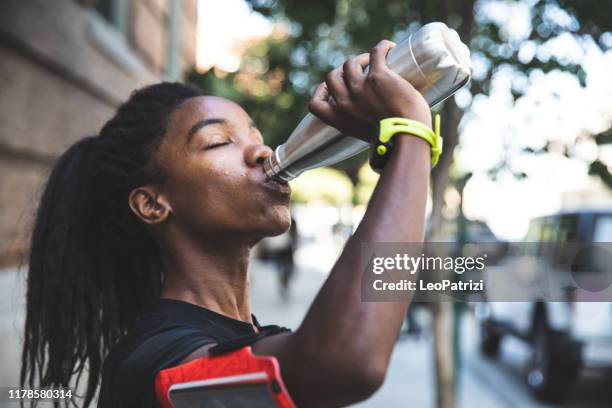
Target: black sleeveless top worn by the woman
[{"x": 161, "y": 339}]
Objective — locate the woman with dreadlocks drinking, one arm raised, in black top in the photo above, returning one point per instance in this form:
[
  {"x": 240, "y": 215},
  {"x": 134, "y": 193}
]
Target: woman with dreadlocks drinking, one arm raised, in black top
[{"x": 146, "y": 229}]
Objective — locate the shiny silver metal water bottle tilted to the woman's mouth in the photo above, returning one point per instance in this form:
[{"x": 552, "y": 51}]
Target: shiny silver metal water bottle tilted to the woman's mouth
[{"x": 433, "y": 60}]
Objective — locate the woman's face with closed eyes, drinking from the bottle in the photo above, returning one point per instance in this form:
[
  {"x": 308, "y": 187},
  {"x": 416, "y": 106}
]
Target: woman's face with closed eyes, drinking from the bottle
[{"x": 213, "y": 157}]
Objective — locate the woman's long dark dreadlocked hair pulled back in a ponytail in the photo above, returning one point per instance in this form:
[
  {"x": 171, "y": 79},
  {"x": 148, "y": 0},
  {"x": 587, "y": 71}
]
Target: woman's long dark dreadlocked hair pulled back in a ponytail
[{"x": 93, "y": 268}]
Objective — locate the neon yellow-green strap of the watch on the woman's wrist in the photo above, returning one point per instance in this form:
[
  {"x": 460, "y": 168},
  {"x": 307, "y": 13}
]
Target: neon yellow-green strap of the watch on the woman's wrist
[{"x": 392, "y": 126}]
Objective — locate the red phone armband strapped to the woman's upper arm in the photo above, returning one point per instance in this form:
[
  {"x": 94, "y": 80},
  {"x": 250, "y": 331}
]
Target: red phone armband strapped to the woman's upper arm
[{"x": 235, "y": 379}]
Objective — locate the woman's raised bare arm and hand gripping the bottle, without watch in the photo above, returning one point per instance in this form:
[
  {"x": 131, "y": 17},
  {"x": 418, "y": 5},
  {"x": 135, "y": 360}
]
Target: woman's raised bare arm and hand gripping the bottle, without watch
[{"x": 340, "y": 353}]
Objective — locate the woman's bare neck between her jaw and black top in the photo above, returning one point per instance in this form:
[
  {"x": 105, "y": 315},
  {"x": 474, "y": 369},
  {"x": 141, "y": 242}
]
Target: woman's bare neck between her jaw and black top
[{"x": 209, "y": 274}]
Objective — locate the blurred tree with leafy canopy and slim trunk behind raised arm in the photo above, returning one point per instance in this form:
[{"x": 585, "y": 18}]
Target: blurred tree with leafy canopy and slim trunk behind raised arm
[{"x": 278, "y": 76}]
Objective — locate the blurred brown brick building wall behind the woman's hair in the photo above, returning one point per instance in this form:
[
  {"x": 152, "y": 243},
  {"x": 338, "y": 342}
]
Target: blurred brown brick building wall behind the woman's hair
[{"x": 61, "y": 82}]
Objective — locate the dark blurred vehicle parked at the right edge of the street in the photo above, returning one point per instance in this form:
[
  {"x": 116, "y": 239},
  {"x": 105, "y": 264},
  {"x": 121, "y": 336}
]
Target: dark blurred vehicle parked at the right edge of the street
[{"x": 565, "y": 335}]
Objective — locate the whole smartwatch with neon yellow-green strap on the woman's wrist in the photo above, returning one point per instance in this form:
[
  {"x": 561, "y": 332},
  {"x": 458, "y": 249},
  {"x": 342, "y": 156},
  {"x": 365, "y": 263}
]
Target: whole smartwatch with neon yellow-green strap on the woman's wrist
[{"x": 381, "y": 149}]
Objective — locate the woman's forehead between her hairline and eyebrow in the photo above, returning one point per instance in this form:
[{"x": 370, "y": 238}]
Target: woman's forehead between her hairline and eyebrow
[{"x": 206, "y": 107}]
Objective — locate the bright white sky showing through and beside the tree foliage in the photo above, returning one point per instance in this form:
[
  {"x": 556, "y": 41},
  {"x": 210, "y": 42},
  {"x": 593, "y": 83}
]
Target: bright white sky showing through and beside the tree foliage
[{"x": 555, "y": 107}]
